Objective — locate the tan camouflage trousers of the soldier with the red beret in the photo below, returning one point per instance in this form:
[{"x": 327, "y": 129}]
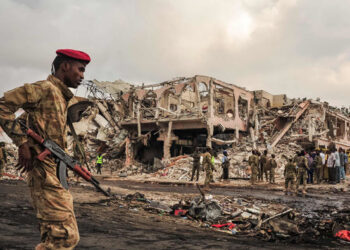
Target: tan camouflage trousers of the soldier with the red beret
[{"x": 54, "y": 208}]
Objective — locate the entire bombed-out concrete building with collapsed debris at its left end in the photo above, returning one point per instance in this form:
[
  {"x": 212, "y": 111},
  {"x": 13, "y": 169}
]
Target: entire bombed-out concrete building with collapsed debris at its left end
[{"x": 136, "y": 125}]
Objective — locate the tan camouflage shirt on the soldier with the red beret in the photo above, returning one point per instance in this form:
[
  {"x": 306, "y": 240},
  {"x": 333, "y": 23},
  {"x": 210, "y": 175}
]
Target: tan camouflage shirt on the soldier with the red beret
[{"x": 45, "y": 103}]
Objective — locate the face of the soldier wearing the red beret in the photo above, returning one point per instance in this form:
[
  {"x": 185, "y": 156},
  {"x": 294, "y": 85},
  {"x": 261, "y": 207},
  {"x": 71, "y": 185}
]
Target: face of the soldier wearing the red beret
[{"x": 74, "y": 74}]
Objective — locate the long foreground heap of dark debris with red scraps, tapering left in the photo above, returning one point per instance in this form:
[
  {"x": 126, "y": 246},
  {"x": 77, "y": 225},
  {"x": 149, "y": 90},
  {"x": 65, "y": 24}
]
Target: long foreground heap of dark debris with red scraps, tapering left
[{"x": 251, "y": 218}]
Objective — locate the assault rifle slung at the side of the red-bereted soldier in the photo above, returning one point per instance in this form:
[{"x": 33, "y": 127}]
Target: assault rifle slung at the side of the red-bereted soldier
[{"x": 63, "y": 160}]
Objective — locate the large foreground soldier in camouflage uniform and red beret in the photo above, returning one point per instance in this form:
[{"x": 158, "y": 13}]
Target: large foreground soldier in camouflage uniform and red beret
[{"x": 46, "y": 103}]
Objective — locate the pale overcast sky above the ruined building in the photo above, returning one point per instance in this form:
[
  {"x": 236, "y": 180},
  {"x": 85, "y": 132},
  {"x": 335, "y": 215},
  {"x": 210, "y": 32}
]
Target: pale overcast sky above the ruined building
[{"x": 300, "y": 48}]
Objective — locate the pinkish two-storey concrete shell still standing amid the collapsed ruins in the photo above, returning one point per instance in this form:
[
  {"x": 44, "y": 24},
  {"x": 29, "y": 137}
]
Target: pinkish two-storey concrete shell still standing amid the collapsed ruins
[{"x": 186, "y": 112}]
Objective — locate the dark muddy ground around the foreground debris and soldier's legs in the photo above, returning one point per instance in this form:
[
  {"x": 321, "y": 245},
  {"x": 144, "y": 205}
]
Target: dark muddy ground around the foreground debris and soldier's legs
[{"x": 104, "y": 225}]
